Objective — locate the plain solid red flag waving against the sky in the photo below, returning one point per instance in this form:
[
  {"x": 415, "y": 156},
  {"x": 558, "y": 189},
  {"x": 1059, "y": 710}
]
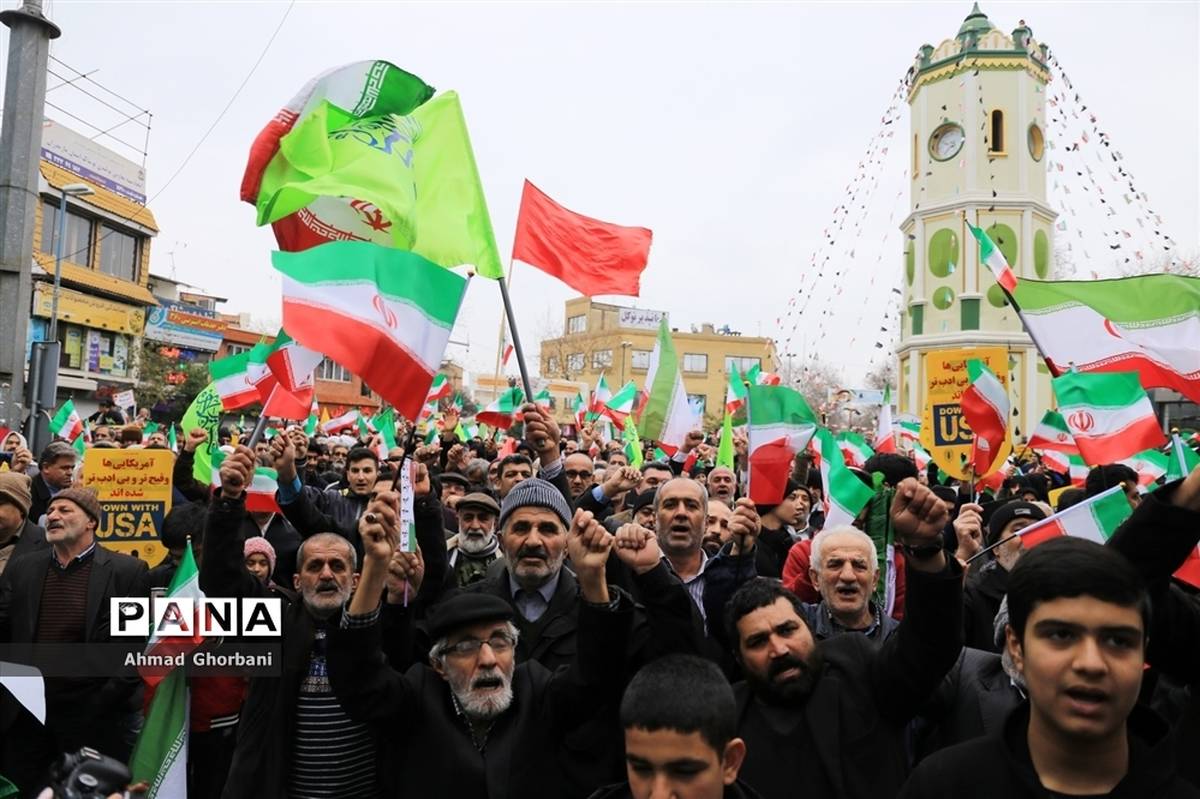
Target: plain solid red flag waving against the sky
[{"x": 591, "y": 256}]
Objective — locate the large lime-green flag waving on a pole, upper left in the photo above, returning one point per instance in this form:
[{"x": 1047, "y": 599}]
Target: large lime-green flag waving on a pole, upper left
[{"x": 418, "y": 171}]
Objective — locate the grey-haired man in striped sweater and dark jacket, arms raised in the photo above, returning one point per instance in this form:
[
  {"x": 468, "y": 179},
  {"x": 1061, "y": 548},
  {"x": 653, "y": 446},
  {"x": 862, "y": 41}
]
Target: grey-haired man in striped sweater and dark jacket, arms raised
[{"x": 296, "y": 738}]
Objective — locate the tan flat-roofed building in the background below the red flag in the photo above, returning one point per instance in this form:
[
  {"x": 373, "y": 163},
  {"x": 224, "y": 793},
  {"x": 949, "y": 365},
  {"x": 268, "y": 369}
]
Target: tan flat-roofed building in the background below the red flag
[{"x": 615, "y": 341}]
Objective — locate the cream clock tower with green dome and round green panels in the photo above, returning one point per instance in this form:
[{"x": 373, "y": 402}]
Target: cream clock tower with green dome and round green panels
[{"x": 979, "y": 146}]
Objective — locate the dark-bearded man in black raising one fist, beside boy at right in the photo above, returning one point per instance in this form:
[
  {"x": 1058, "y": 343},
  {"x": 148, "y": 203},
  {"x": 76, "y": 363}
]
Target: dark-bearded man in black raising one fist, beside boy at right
[{"x": 825, "y": 720}]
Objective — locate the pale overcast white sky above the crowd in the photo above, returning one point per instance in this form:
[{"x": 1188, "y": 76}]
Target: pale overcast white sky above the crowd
[{"x": 731, "y": 130}]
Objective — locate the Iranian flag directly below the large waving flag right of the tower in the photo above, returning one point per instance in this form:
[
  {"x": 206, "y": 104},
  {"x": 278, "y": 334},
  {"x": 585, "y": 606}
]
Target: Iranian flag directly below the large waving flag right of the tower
[{"x": 1109, "y": 416}]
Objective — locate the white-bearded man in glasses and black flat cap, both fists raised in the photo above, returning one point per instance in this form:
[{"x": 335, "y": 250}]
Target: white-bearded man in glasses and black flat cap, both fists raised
[{"x": 472, "y": 722}]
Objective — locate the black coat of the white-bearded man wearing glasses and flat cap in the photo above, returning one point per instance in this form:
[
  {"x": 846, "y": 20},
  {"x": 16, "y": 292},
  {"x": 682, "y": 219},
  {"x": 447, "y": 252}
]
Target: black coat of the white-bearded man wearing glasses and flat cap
[{"x": 431, "y": 748}]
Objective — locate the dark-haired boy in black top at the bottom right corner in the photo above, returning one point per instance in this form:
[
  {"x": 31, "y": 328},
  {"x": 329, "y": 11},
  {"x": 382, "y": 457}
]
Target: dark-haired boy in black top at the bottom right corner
[{"x": 1077, "y": 632}]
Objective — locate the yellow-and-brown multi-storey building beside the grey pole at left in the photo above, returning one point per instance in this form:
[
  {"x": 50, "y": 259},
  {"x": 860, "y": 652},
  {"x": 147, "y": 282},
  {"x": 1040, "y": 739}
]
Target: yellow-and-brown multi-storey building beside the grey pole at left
[{"x": 105, "y": 266}]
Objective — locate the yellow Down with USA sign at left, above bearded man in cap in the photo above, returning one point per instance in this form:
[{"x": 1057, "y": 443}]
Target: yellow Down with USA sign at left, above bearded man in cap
[{"x": 134, "y": 488}]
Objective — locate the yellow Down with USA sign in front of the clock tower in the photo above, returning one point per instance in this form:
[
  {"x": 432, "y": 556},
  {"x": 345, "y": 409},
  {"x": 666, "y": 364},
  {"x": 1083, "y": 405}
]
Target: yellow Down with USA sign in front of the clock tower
[{"x": 944, "y": 431}]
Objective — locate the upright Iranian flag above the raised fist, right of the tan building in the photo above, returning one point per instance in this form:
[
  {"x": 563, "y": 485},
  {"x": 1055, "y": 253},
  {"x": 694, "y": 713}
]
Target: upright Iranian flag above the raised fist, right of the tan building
[{"x": 782, "y": 424}]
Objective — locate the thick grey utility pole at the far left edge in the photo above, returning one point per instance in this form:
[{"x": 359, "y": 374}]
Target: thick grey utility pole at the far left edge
[{"x": 21, "y": 149}]
